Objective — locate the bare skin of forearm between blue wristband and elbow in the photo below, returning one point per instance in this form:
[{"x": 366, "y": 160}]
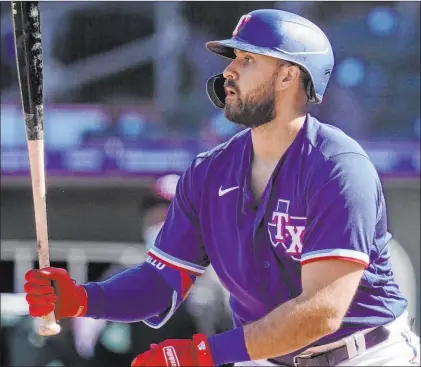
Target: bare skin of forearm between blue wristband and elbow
[{"x": 291, "y": 326}]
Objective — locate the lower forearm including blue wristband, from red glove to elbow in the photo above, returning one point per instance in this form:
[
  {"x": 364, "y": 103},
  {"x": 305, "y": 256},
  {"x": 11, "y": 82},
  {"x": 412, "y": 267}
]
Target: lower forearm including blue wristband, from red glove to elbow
[{"x": 290, "y": 327}]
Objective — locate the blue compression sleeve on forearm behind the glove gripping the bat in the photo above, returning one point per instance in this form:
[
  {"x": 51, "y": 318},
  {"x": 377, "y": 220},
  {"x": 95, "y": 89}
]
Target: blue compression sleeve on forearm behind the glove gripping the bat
[{"x": 132, "y": 295}]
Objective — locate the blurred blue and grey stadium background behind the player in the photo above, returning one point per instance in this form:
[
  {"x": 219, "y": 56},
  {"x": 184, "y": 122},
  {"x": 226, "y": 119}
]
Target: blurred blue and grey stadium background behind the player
[{"x": 125, "y": 104}]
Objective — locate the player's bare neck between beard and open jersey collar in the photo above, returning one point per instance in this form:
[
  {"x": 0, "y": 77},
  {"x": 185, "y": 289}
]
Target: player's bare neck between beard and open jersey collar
[{"x": 270, "y": 141}]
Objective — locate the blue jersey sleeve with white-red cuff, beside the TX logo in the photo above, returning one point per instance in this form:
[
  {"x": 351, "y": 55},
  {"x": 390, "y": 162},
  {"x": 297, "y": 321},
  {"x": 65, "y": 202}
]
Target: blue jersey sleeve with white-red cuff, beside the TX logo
[{"x": 342, "y": 211}]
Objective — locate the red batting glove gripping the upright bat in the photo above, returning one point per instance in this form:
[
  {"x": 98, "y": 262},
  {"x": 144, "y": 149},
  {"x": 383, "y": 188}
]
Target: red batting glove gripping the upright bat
[{"x": 67, "y": 299}]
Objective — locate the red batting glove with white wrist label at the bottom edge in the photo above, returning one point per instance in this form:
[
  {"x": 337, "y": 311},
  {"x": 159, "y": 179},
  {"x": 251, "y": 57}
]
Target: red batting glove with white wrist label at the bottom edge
[{"x": 176, "y": 352}]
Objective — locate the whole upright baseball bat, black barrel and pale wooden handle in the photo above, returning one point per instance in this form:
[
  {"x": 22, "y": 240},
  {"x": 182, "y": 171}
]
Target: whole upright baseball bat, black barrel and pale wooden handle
[{"x": 28, "y": 47}]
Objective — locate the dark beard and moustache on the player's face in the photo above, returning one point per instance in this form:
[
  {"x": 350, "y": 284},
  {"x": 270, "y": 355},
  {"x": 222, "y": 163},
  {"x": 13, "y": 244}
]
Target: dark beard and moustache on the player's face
[{"x": 255, "y": 109}]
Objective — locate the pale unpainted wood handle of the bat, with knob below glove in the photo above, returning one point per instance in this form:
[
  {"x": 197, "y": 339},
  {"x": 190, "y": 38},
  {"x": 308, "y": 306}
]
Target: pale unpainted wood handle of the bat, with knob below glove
[{"x": 48, "y": 325}]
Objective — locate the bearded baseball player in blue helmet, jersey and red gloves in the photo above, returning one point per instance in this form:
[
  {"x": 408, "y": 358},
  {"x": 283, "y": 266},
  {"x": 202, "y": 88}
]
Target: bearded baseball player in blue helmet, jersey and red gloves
[{"x": 290, "y": 213}]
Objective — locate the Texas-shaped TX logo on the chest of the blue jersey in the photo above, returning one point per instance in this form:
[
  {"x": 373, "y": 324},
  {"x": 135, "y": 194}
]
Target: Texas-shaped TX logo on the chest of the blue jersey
[{"x": 287, "y": 230}]
